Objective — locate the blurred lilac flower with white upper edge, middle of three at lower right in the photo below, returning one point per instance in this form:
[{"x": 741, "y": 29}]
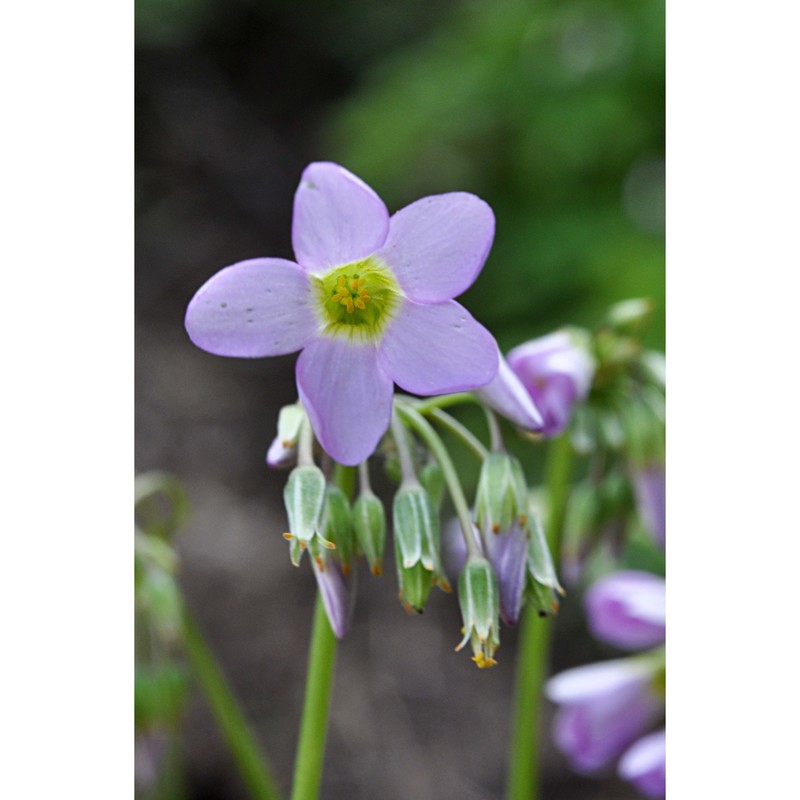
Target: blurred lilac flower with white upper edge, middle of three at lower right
[{"x": 603, "y": 709}]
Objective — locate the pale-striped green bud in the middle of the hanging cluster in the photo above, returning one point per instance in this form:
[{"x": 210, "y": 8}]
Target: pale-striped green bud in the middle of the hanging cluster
[{"x": 417, "y": 540}]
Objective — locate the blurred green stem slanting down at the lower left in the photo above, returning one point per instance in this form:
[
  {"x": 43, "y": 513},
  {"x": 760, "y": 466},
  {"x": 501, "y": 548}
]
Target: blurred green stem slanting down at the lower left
[{"x": 252, "y": 766}]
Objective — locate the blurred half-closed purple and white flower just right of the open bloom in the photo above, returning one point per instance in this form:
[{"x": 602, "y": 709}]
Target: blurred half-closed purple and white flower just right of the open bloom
[{"x": 557, "y": 373}]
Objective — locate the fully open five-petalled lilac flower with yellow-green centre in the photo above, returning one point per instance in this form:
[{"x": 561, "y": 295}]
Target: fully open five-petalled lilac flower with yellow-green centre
[{"x": 369, "y": 302}]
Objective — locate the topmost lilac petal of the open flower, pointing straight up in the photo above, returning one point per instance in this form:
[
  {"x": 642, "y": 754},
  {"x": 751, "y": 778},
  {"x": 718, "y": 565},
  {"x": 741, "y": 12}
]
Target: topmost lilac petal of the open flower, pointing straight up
[{"x": 337, "y": 217}]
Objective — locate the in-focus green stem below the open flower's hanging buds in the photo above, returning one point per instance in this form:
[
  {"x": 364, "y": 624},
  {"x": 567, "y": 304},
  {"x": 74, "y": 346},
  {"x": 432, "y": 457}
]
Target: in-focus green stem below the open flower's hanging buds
[{"x": 314, "y": 722}]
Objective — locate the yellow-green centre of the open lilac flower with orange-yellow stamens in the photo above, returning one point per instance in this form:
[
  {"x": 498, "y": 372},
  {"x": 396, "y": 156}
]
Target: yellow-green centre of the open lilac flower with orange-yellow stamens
[{"x": 357, "y": 300}]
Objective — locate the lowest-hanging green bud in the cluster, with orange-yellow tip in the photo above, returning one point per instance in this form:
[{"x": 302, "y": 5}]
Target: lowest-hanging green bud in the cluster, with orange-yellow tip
[{"x": 479, "y": 598}]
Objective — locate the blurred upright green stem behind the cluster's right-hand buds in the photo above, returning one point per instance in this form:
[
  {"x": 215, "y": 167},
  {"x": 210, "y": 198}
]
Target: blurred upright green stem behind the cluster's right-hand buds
[{"x": 524, "y": 777}]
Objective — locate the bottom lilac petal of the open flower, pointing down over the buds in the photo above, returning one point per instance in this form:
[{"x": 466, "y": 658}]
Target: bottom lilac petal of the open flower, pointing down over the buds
[{"x": 347, "y": 395}]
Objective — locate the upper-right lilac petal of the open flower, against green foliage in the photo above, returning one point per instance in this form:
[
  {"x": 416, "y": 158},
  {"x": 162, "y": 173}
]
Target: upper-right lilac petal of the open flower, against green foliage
[{"x": 437, "y": 246}]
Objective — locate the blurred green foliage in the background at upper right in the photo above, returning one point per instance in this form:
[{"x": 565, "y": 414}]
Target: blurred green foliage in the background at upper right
[{"x": 554, "y": 113}]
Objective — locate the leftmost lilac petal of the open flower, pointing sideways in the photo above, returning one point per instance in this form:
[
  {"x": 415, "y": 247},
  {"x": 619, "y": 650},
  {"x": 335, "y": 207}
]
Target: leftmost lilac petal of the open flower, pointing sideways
[{"x": 253, "y": 309}]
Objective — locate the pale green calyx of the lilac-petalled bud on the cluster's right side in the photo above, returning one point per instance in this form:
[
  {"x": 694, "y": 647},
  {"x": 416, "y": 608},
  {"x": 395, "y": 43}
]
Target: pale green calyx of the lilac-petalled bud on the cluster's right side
[{"x": 501, "y": 499}]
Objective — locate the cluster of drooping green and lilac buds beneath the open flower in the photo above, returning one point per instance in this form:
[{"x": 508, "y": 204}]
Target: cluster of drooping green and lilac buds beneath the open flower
[{"x": 505, "y": 562}]
